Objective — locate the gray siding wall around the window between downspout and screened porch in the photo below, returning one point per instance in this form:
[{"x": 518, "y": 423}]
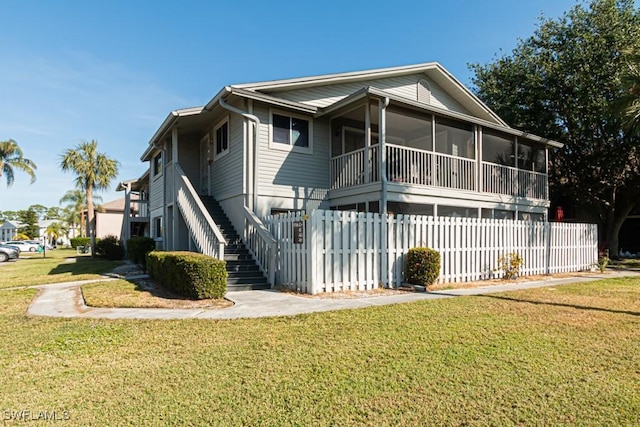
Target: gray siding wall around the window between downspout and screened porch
[{"x": 298, "y": 177}]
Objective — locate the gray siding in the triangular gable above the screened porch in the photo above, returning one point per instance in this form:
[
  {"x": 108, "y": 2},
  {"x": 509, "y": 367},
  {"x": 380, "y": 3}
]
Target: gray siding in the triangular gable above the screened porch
[{"x": 405, "y": 86}]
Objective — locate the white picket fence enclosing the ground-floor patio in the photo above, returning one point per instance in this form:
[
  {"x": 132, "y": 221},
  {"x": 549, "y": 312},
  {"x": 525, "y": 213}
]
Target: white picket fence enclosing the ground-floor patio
[{"x": 347, "y": 251}]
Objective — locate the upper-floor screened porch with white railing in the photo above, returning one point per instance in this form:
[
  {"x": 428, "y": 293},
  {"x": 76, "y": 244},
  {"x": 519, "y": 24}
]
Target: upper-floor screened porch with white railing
[{"x": 425, "y": 149}]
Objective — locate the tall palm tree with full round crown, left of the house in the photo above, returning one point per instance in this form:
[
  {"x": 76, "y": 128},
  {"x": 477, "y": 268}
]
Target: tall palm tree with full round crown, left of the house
[{"x": 94, "y": 171}]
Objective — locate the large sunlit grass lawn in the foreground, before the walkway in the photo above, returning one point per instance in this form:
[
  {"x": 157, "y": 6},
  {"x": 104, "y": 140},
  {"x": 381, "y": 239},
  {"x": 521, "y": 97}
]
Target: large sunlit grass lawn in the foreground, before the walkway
[{"x": 550, "y": 356}]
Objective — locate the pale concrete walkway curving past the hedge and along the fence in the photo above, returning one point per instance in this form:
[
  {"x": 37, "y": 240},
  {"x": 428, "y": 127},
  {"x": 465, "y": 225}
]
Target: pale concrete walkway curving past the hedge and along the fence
[{"x": 65, "y": 300}]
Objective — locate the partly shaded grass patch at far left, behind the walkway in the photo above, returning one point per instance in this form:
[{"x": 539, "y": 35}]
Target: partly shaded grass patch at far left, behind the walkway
[{"x": 60, "y": 265}]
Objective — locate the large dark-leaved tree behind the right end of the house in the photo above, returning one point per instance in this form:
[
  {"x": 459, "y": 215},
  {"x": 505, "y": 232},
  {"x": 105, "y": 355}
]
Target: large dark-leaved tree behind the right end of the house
[{"x": 563, "y": 83}]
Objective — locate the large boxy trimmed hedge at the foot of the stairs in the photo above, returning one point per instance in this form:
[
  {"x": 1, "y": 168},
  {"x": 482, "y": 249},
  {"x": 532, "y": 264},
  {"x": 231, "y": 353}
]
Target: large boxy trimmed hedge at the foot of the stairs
[{"x": 190, "y": 274}]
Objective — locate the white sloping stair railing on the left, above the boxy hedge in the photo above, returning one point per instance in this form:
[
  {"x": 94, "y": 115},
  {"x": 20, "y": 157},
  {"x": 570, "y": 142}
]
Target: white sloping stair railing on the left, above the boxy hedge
[{"x": 203, "y": 229}]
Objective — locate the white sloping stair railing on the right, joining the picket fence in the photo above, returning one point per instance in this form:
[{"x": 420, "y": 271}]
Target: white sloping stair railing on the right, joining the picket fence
[{"x": 262, "y": 245}]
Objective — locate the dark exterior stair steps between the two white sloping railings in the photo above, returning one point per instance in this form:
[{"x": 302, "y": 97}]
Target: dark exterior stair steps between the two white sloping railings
[{"x": 244, "y": 273}]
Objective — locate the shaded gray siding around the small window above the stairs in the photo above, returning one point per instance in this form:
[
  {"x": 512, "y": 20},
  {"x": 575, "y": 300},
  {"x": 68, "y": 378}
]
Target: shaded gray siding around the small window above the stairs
[{"x": 225, "y": 176}]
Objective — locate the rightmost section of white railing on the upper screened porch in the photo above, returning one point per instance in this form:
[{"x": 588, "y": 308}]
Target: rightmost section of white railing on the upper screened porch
[{"x": 508, "y": 180}]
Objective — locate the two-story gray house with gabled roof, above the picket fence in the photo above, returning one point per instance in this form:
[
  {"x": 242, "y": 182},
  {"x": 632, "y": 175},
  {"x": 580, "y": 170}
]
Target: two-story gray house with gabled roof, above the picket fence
[{"x": 409, "y": 139}]
